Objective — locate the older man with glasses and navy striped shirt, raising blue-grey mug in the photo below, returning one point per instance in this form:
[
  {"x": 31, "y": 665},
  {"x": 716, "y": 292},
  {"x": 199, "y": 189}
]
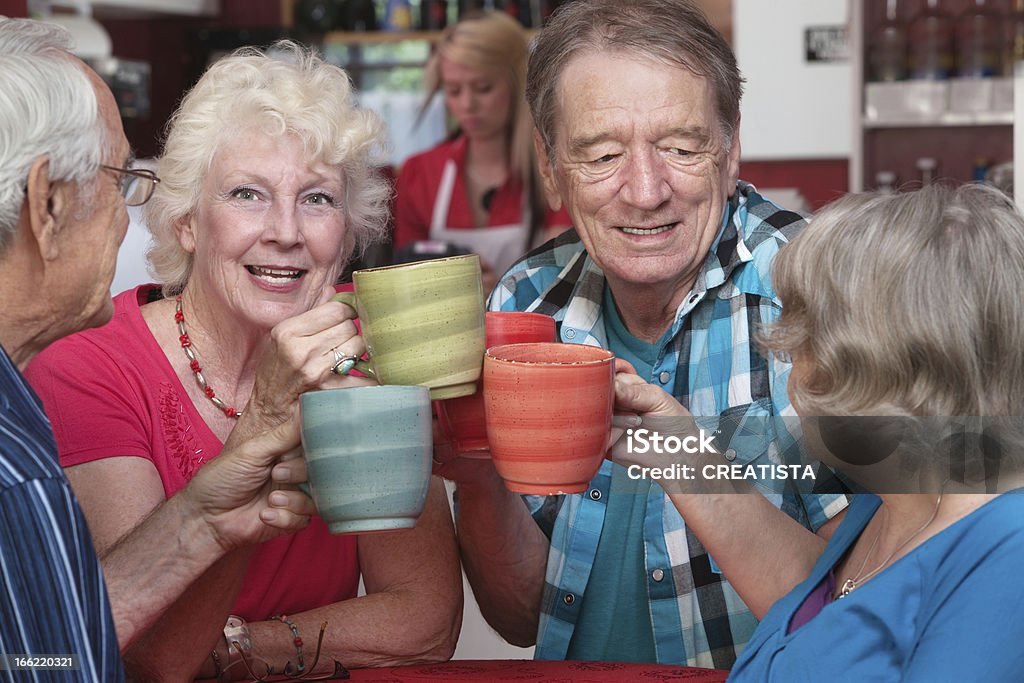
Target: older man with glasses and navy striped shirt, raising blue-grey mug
[{"x": 65, "y": 183}]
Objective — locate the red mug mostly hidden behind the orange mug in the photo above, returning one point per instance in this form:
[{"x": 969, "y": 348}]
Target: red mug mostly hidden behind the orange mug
[{"x": 462, "y": 420}]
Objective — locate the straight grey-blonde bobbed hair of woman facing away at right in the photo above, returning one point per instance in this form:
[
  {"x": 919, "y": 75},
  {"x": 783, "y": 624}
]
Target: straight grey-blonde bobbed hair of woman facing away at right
[{"x": 908, "y": 305}]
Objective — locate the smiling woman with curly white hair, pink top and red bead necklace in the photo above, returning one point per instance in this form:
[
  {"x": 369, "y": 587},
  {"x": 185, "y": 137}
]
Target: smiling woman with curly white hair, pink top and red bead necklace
[{"x": 267, "y": 192}]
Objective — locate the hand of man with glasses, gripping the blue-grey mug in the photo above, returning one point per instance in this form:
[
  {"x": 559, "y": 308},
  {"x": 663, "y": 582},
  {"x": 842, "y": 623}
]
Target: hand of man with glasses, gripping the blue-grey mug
[{"x": 238, "y": 494}]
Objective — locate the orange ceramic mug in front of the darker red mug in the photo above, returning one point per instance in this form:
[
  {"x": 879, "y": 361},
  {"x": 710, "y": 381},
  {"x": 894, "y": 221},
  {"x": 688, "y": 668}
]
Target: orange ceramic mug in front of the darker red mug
[{"x": 548, "y": 410}]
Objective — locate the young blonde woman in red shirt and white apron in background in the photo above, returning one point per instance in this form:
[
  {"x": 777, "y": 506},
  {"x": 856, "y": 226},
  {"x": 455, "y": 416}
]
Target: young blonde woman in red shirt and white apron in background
[{"x": 479, "y": 190}]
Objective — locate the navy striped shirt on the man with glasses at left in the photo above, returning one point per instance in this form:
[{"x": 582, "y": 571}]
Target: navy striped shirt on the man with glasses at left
[{"x": 53, "y": 596}]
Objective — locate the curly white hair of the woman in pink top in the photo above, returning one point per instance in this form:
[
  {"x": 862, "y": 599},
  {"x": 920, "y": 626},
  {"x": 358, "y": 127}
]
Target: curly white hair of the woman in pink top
[{"x": 288, "y": 91}]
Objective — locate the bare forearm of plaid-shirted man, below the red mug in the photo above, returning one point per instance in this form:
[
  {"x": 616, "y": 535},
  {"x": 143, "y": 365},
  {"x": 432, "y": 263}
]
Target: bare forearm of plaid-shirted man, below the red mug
[{"x": 505, "y": 556}]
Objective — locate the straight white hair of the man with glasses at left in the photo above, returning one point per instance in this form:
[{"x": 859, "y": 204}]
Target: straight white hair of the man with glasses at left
[{"x": 49, "y": 109}]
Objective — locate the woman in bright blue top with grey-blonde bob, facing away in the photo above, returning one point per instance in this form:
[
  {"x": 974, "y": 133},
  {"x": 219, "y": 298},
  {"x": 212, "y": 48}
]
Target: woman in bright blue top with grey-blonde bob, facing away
[{"x": 903, "y": 311}]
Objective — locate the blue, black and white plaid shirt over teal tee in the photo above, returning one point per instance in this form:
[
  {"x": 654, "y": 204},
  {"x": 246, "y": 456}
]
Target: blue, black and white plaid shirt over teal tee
[{"x": 711, "y": 366}]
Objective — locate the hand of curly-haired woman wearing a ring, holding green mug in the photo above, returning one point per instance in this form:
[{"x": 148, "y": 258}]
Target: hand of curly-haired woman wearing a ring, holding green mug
[{"x": 298, "y": 360}]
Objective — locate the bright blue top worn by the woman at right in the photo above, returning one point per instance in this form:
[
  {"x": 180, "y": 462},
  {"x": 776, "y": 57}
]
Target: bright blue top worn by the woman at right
[{"x": 949, "y": 611}]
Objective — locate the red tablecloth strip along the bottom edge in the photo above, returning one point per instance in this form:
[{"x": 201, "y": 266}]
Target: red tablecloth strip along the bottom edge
[{"x": 496, "y": 671}]
